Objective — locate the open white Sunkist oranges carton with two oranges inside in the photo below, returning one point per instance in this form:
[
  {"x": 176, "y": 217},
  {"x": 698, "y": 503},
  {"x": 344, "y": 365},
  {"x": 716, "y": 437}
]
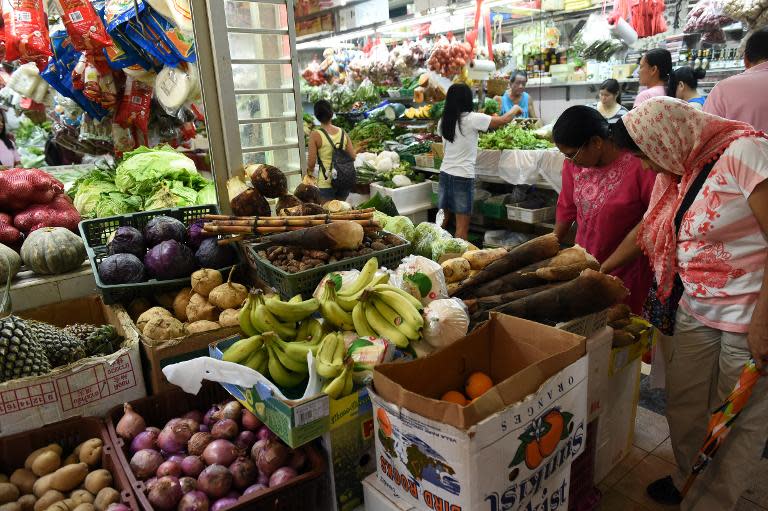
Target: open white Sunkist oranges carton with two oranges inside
[{"x": 512, "y": 447}]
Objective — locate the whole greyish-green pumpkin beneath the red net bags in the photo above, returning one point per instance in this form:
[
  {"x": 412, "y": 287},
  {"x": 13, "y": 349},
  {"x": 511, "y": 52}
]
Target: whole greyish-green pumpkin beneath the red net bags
[{"x": 53, "y": 250}]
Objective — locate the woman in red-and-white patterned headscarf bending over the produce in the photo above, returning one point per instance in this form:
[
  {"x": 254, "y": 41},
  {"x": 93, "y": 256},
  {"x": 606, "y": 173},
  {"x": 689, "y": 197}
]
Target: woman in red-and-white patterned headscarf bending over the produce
[{"x": 706, "y": 235}]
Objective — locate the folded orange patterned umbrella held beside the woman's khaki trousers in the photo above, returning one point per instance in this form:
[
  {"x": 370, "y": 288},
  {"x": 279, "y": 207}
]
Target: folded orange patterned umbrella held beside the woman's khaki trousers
[{"x": 721, "y": 421}]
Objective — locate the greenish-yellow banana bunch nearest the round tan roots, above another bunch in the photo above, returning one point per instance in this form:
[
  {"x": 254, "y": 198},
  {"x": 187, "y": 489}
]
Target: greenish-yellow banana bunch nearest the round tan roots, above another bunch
[{"x": 270, "y": 314}]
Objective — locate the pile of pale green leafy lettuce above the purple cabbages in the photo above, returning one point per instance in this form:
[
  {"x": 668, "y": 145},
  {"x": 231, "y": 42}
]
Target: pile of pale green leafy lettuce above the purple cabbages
[{"x": 144, "y": 180}]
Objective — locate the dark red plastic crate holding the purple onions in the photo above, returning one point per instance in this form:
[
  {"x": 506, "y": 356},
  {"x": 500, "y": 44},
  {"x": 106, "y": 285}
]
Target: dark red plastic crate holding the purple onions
[{"x": 306, "y": 491}]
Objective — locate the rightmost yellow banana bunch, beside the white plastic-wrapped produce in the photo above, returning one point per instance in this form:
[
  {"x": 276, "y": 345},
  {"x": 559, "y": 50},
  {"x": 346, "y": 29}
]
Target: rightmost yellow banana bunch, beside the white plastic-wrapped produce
[{"x": 390, "y": 313}]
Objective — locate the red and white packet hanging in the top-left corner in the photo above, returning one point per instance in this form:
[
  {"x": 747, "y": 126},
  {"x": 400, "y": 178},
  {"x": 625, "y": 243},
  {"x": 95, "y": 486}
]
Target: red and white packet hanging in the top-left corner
[{"x": 26, "y": 31}]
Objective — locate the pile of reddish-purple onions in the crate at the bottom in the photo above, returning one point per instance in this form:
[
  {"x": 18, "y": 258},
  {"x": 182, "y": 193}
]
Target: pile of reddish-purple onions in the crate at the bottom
[{"x": 207, "y": 460}]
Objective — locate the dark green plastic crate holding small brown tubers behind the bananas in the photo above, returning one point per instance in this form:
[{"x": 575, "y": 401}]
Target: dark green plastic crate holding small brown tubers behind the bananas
[{"x": 305, "y": 282}]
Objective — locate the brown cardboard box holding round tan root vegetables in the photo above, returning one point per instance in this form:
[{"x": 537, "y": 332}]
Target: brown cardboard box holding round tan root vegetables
[{"x": 158, "y": 354}]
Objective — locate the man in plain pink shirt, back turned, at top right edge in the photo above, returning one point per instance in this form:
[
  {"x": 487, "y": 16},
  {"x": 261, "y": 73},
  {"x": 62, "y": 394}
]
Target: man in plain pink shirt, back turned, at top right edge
[{"x": 742, "y": 97}]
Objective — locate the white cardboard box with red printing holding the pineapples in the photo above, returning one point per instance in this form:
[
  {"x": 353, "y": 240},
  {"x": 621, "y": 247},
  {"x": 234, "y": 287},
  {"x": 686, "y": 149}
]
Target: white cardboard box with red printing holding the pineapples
[{"x": 90, "y": 387}]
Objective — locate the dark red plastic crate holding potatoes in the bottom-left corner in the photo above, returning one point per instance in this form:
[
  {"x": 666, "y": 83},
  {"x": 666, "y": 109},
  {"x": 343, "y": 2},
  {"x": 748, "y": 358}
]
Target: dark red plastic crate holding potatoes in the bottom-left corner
[{"x": 69, "y": 433}]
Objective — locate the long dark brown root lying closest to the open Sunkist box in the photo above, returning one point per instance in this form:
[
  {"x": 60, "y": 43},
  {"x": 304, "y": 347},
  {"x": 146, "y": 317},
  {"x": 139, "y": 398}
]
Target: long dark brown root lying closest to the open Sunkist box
[{"x": 590, "y": 292}]
